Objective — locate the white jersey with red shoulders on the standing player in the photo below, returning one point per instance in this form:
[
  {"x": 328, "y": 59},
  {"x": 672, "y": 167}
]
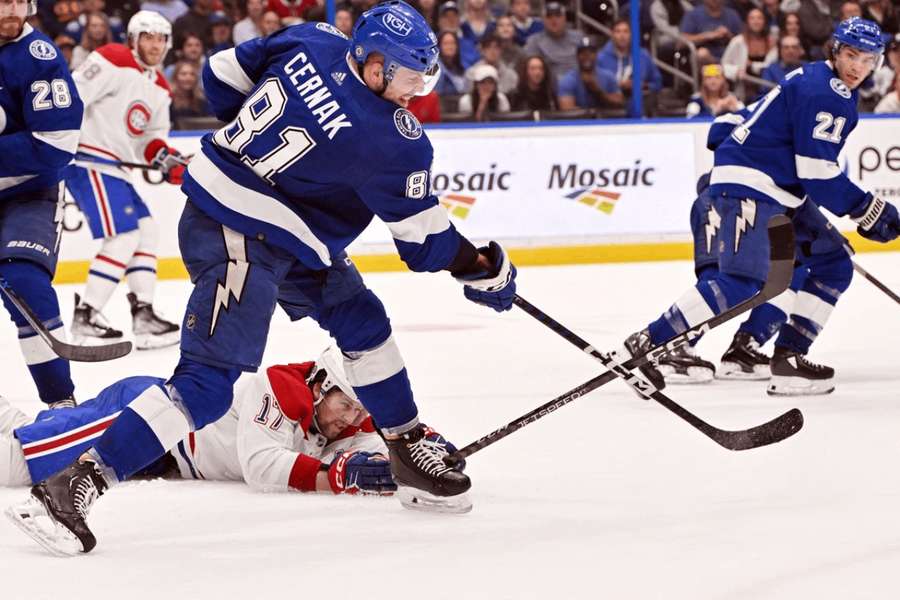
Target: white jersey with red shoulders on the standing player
[{"x": 125, "y": 108}]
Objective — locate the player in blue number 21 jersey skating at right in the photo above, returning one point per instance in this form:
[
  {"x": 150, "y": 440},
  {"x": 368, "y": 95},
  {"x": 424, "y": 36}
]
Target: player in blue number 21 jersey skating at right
[{"x": 785, "y": 151}]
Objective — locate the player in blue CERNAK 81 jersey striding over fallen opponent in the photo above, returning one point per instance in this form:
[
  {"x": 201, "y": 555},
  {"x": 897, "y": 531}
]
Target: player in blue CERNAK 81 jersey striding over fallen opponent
[{"x": 319, "y": 141}]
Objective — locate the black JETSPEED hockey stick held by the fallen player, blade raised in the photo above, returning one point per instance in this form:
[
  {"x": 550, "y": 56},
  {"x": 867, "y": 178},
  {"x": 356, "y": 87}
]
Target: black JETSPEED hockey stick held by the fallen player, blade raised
[{"x": 781, "y": 269}]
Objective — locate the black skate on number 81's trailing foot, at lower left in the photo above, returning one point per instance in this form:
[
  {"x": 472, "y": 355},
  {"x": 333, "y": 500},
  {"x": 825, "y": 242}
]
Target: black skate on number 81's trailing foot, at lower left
[{"x": 65, "y": 499}]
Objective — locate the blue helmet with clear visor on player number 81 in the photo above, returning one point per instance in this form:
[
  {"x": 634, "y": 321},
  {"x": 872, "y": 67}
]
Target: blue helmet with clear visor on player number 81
[{"x": 398, "y": 32}]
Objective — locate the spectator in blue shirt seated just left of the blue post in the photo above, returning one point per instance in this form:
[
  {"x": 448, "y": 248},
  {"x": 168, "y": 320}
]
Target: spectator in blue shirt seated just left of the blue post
[{"x": 587, "y": 85}]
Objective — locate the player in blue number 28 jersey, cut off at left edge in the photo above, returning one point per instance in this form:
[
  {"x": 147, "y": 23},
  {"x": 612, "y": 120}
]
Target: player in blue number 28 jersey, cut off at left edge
[{"x": 40, "y": 117}]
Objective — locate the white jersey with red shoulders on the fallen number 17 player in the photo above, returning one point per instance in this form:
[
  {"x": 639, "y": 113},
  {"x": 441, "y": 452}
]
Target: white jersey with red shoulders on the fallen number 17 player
[{"x": 265, "y": 437}]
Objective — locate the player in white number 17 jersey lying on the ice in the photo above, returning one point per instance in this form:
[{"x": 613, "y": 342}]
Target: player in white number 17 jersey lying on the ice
[{"x": 291, "y": 427}]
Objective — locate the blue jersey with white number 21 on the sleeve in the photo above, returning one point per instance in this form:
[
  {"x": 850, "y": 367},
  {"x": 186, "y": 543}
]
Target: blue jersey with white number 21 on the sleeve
[{"x": 788, "y": 146}]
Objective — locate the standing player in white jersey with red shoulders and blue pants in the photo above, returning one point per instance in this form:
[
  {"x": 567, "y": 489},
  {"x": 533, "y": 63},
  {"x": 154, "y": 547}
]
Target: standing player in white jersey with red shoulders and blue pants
[{"x": 126, "y": 119}]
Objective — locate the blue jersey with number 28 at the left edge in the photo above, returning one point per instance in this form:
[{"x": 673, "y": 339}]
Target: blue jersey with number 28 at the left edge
[{"x": 40, "y": 114}]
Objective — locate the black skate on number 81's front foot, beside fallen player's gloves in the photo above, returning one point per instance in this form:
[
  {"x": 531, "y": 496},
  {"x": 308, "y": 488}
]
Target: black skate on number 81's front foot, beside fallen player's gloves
[{"x": 424, "y": 480}]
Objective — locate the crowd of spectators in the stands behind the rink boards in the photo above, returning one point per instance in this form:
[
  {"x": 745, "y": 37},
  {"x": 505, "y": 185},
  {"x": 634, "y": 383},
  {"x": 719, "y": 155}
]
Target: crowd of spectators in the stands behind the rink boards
[{"x": 526, "y": 59}]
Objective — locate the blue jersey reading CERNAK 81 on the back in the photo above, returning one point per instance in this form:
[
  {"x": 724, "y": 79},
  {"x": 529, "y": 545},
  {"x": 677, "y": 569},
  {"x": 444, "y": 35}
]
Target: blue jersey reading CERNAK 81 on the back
[{"x": 311, "y": 154}]
